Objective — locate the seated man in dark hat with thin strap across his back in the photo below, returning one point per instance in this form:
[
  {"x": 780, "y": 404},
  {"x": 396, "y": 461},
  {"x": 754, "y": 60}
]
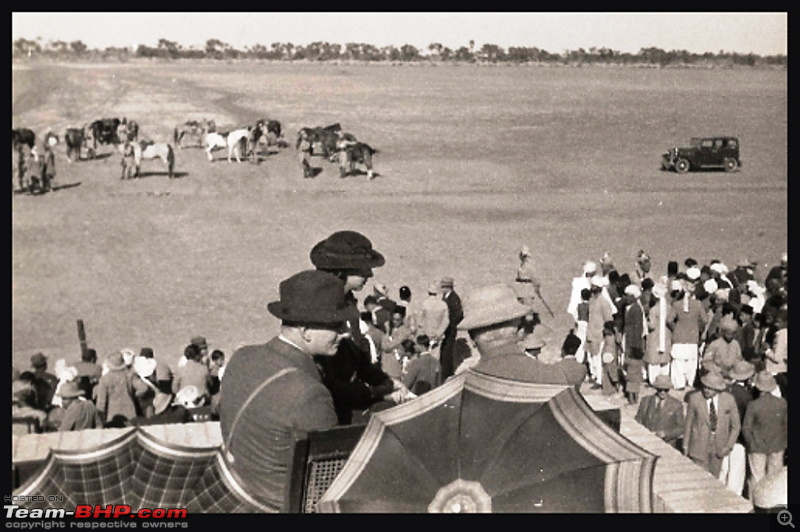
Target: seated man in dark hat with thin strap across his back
[{"x": 273, "y": 395}]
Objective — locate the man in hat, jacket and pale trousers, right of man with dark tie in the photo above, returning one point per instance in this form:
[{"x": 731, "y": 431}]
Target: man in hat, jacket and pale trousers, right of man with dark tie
[{"x": 765, "y": 429}]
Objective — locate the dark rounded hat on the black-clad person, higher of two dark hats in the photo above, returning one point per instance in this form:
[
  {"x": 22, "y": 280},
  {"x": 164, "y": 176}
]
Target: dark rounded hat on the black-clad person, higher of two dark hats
[{"x": 346, "y": 250}]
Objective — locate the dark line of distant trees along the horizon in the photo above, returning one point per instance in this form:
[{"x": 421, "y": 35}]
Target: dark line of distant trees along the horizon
[{"x": 435, "y": 53}]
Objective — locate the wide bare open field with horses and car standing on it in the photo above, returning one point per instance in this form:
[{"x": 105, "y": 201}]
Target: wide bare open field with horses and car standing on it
[{"x": 474, "y": 162}]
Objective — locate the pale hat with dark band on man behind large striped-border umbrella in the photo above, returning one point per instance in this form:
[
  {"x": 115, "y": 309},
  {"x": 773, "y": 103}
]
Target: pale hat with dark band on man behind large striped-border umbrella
[{"x": 489, "y": 305}]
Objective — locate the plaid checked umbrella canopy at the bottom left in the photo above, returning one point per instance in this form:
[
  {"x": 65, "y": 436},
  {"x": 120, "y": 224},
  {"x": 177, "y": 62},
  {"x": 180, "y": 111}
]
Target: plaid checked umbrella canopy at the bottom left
[{"x": 141, "y": 471}]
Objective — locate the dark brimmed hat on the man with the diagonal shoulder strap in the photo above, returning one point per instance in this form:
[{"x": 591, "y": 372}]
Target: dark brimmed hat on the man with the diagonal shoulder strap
[{"x": 311, "y": 296}]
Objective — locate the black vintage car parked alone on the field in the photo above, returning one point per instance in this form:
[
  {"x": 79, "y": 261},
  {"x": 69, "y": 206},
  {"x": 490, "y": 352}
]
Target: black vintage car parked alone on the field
[{"x": 705, "y": 152}]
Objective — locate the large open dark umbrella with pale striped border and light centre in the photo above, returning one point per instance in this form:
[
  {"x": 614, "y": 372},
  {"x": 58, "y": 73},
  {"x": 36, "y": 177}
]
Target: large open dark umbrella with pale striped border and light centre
[{"x": 483, "y": 444}]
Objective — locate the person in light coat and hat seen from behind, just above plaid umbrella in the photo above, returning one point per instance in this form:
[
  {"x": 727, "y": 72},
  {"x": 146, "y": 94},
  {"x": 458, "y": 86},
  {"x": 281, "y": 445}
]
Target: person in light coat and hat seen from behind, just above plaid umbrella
[{"x": 114, "y": 394}]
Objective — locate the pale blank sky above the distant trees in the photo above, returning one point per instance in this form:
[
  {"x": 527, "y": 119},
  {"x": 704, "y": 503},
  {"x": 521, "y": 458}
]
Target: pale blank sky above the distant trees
[{"x": 761, "y": 33}]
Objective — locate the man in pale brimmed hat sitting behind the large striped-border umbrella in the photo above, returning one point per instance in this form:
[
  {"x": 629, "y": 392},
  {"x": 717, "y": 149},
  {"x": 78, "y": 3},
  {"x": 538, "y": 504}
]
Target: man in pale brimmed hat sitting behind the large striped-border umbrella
[{"x": 492, "y": 316}]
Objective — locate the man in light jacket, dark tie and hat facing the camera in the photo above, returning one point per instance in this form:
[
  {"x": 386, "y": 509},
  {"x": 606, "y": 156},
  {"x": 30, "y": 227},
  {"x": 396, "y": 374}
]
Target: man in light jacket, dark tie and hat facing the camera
[{"x": 712, "y": 424}]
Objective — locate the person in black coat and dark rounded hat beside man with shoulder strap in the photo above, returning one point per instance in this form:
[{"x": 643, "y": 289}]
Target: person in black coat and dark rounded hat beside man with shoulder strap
[{"x": 354, "y": 381}]
